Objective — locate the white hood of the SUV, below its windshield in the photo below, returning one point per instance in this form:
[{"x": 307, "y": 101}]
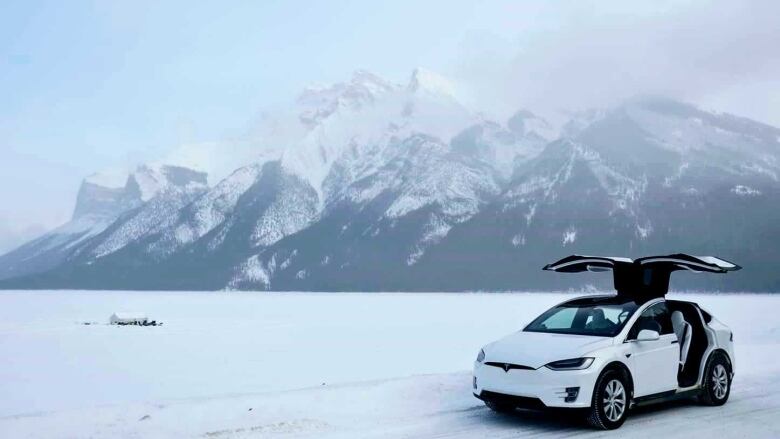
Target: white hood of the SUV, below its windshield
[{"x": 535, "y": 349}]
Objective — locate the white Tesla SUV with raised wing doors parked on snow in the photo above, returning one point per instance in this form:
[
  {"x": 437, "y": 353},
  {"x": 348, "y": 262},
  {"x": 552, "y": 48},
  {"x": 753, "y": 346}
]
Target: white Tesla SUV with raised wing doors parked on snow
[{"x": 605, "y": 354}]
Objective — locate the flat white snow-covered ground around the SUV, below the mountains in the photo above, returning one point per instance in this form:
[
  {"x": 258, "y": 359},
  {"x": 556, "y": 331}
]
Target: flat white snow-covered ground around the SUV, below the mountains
[{"x": 229, "y": 365}]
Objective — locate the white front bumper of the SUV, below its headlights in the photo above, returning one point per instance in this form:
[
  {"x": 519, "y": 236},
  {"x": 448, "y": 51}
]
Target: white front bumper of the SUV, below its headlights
[{"x": 525, "y": 386}]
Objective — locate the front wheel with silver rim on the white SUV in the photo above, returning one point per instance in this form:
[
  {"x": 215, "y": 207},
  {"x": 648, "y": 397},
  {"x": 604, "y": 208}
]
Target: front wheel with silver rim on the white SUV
[{"x": 600, "y": 415}]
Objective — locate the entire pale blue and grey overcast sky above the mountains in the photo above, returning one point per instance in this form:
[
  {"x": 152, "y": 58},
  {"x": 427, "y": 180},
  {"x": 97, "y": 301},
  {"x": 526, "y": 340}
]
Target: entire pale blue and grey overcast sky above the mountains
[{"x": 85, "y": 85}]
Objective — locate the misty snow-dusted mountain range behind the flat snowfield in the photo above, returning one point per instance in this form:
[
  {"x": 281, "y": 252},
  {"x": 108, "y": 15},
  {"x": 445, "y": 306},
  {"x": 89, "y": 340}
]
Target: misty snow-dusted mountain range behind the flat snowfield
[{"x": 369, "y": 185}]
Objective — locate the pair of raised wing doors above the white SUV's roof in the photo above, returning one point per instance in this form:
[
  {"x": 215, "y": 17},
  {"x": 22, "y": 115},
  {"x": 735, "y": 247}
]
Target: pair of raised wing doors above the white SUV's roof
[{"x": 646, "y": 277}]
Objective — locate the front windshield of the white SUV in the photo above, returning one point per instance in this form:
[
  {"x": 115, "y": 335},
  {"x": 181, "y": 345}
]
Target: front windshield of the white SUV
[{"x": 599, "y": 316}]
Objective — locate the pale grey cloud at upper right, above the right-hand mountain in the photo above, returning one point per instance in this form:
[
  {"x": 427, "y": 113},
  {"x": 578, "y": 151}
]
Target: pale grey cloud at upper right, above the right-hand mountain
[{"x": 586, "y": 54}]
